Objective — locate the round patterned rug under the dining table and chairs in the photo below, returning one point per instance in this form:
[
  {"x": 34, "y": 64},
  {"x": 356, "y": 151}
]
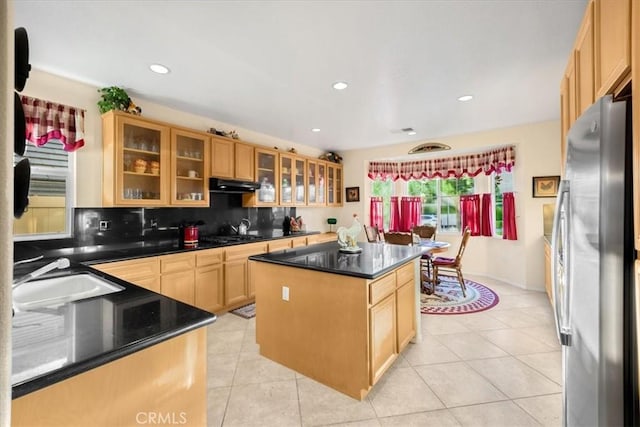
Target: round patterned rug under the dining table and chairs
[{"x": 448, "y": 298}]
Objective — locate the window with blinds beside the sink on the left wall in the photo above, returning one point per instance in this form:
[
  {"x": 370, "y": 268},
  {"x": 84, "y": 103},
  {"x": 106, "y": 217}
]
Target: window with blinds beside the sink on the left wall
[{"x": 49, "y": 214}]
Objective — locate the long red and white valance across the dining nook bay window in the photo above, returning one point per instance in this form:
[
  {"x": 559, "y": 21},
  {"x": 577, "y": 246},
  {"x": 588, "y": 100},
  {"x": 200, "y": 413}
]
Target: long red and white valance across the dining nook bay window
[{"x": 492, "y": 161}]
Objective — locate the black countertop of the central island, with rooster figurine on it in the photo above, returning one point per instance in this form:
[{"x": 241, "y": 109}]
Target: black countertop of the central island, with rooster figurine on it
[{"x": 375, "y": 259}]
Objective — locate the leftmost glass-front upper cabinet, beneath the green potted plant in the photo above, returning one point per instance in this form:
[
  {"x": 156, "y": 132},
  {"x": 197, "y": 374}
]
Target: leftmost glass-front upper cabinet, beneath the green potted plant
[{"x": 136, "y": 152}]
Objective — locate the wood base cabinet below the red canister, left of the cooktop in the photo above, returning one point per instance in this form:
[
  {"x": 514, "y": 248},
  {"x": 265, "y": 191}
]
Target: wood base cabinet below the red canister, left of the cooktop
[{"x": 177, "y": 277}]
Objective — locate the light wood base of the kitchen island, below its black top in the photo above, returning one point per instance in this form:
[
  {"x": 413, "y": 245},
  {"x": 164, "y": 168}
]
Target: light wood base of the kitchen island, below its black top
[{"x": 339, "y": 330}]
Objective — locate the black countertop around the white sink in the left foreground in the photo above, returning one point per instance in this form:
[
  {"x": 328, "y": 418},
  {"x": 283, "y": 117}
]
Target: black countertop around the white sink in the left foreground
[{"x": 50, "y": 344}]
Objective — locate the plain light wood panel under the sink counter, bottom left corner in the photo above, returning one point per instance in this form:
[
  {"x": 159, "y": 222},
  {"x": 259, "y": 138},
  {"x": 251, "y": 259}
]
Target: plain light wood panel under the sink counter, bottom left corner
[{"x": 163, "y": 385}]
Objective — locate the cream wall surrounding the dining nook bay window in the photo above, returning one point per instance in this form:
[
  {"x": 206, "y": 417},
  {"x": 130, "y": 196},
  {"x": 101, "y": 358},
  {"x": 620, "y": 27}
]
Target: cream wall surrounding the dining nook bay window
[{"x": 518, "y": 262}]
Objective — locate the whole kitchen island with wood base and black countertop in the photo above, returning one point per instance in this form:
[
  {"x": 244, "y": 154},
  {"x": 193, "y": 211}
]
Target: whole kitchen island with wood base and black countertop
[{"x": 339, "y": 318}]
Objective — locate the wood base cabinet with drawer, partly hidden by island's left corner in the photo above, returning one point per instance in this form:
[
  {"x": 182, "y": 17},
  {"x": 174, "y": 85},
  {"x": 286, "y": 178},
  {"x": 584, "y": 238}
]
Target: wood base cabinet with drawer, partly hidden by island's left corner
[{"x": 236, "y": 273}]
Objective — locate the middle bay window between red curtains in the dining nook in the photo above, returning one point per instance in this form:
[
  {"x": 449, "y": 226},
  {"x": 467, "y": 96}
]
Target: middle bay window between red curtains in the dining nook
[{"x": 441, "y": 200}]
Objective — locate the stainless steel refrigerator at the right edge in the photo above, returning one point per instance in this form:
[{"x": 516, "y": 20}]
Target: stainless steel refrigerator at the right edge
[{"x": 593, "y": 255}]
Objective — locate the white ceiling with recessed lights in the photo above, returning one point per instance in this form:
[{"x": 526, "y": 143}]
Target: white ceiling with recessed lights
[{"x": 268, "y": 66}]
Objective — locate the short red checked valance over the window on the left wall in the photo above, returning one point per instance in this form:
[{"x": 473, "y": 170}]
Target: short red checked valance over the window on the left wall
[{"x": 47, "y": 121}]
